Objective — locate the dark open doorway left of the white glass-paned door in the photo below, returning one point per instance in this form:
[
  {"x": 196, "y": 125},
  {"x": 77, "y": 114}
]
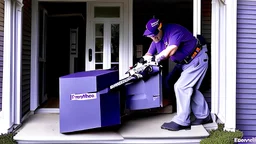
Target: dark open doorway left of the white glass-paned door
[{"x": 64, "y": 44}]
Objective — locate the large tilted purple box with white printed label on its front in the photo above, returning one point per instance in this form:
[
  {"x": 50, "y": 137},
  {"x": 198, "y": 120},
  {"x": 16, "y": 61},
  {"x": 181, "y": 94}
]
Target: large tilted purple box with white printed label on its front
[{"x": 86, "y": 102}]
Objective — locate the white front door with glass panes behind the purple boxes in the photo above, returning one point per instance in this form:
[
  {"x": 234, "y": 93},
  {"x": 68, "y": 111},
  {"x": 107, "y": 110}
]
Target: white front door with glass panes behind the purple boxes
[{"x": 105, "y": 27}]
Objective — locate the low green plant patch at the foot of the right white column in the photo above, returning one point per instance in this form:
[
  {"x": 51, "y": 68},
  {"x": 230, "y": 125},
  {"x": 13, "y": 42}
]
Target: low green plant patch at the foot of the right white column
[{"x": 219, "y": 136}]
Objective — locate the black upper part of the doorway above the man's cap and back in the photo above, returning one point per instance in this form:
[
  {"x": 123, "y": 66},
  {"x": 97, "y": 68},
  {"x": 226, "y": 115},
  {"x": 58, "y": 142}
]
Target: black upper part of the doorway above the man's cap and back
[{"x": 168, "y": 11}]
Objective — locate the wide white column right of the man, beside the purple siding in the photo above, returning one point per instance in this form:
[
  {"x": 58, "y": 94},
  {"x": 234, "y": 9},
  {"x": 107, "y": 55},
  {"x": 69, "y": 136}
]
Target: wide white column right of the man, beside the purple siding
[{"x": 224, "y": 62}]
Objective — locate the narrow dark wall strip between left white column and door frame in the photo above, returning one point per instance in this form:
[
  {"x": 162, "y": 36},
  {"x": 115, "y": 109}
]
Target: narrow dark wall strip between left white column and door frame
[{"x": 26, "y": 54}]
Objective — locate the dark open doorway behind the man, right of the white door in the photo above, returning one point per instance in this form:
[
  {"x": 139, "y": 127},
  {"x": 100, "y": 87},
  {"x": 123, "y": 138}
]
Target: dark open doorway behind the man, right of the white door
[{"x": 171, "y": 11}]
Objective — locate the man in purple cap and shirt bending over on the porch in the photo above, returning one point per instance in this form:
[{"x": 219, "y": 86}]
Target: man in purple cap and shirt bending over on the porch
[{"x": 176, "y": 43}]
